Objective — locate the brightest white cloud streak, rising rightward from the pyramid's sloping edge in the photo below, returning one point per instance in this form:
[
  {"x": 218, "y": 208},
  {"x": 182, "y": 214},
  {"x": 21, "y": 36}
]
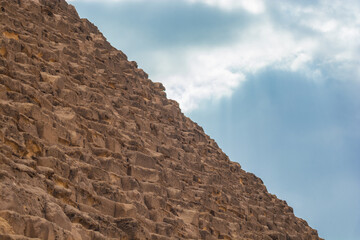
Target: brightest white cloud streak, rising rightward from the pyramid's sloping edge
[{"x": 213, "y": 73}]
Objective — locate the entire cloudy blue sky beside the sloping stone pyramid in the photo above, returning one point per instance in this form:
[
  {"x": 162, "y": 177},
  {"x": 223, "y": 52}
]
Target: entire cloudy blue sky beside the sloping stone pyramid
[{"x": 276, "y": 84}]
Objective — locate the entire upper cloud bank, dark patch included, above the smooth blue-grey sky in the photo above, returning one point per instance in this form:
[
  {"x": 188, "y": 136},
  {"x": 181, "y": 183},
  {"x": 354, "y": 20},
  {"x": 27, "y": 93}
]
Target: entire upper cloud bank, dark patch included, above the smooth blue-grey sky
[{"x": 203, "y": 49}]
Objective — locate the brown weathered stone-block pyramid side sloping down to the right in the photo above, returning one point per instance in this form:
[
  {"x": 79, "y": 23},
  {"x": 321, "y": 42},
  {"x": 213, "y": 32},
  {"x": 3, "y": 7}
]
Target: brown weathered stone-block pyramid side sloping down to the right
[{"x": 90, "y": 148}]
